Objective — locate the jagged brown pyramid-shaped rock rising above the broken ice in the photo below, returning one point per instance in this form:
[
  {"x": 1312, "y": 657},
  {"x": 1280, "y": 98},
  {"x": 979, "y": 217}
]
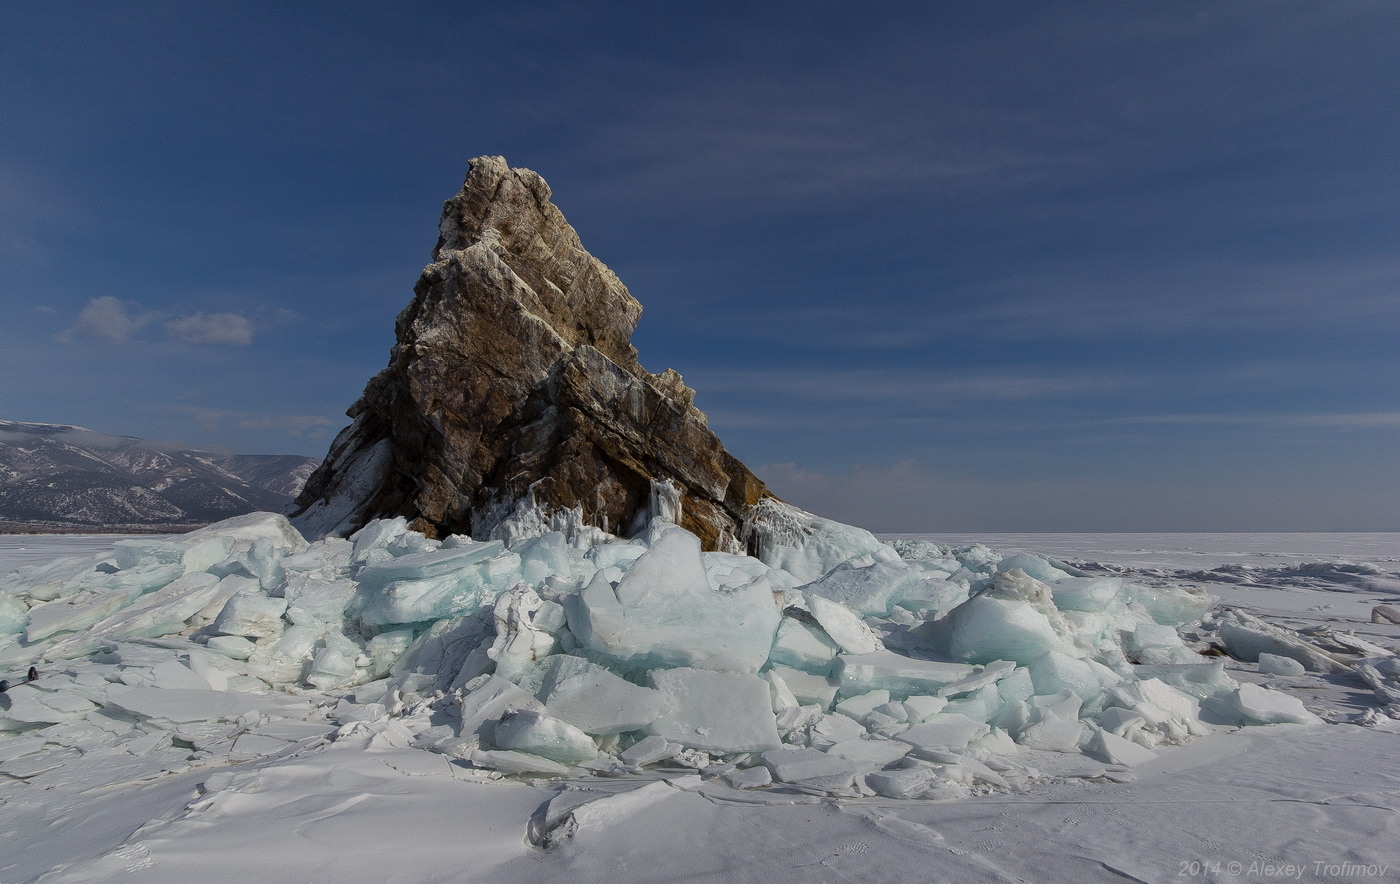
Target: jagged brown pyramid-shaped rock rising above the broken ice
[{"x": 513, "y": 378}]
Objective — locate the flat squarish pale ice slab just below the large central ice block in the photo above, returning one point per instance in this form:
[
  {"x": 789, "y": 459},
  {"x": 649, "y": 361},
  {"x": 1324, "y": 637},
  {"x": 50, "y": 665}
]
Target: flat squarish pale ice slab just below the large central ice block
[{"x": 726, "y": 712}]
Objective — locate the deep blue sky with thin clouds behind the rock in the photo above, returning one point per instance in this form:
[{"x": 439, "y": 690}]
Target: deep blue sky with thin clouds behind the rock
[{"x": 932, "y": 267}]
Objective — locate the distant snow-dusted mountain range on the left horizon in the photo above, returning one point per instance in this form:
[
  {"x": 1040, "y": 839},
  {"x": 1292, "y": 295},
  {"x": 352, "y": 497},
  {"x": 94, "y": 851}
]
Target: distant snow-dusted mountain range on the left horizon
[{"x": 57, "y": 478}]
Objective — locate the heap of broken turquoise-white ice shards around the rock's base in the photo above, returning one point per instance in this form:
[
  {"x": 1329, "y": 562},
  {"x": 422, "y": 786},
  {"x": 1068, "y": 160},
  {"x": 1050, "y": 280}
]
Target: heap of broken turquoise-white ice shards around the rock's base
[{"x": 831, "y": 663}]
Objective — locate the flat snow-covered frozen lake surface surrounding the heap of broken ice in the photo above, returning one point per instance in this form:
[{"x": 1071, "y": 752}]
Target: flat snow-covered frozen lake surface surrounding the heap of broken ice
[{"x": 1318, "y": 802}]
